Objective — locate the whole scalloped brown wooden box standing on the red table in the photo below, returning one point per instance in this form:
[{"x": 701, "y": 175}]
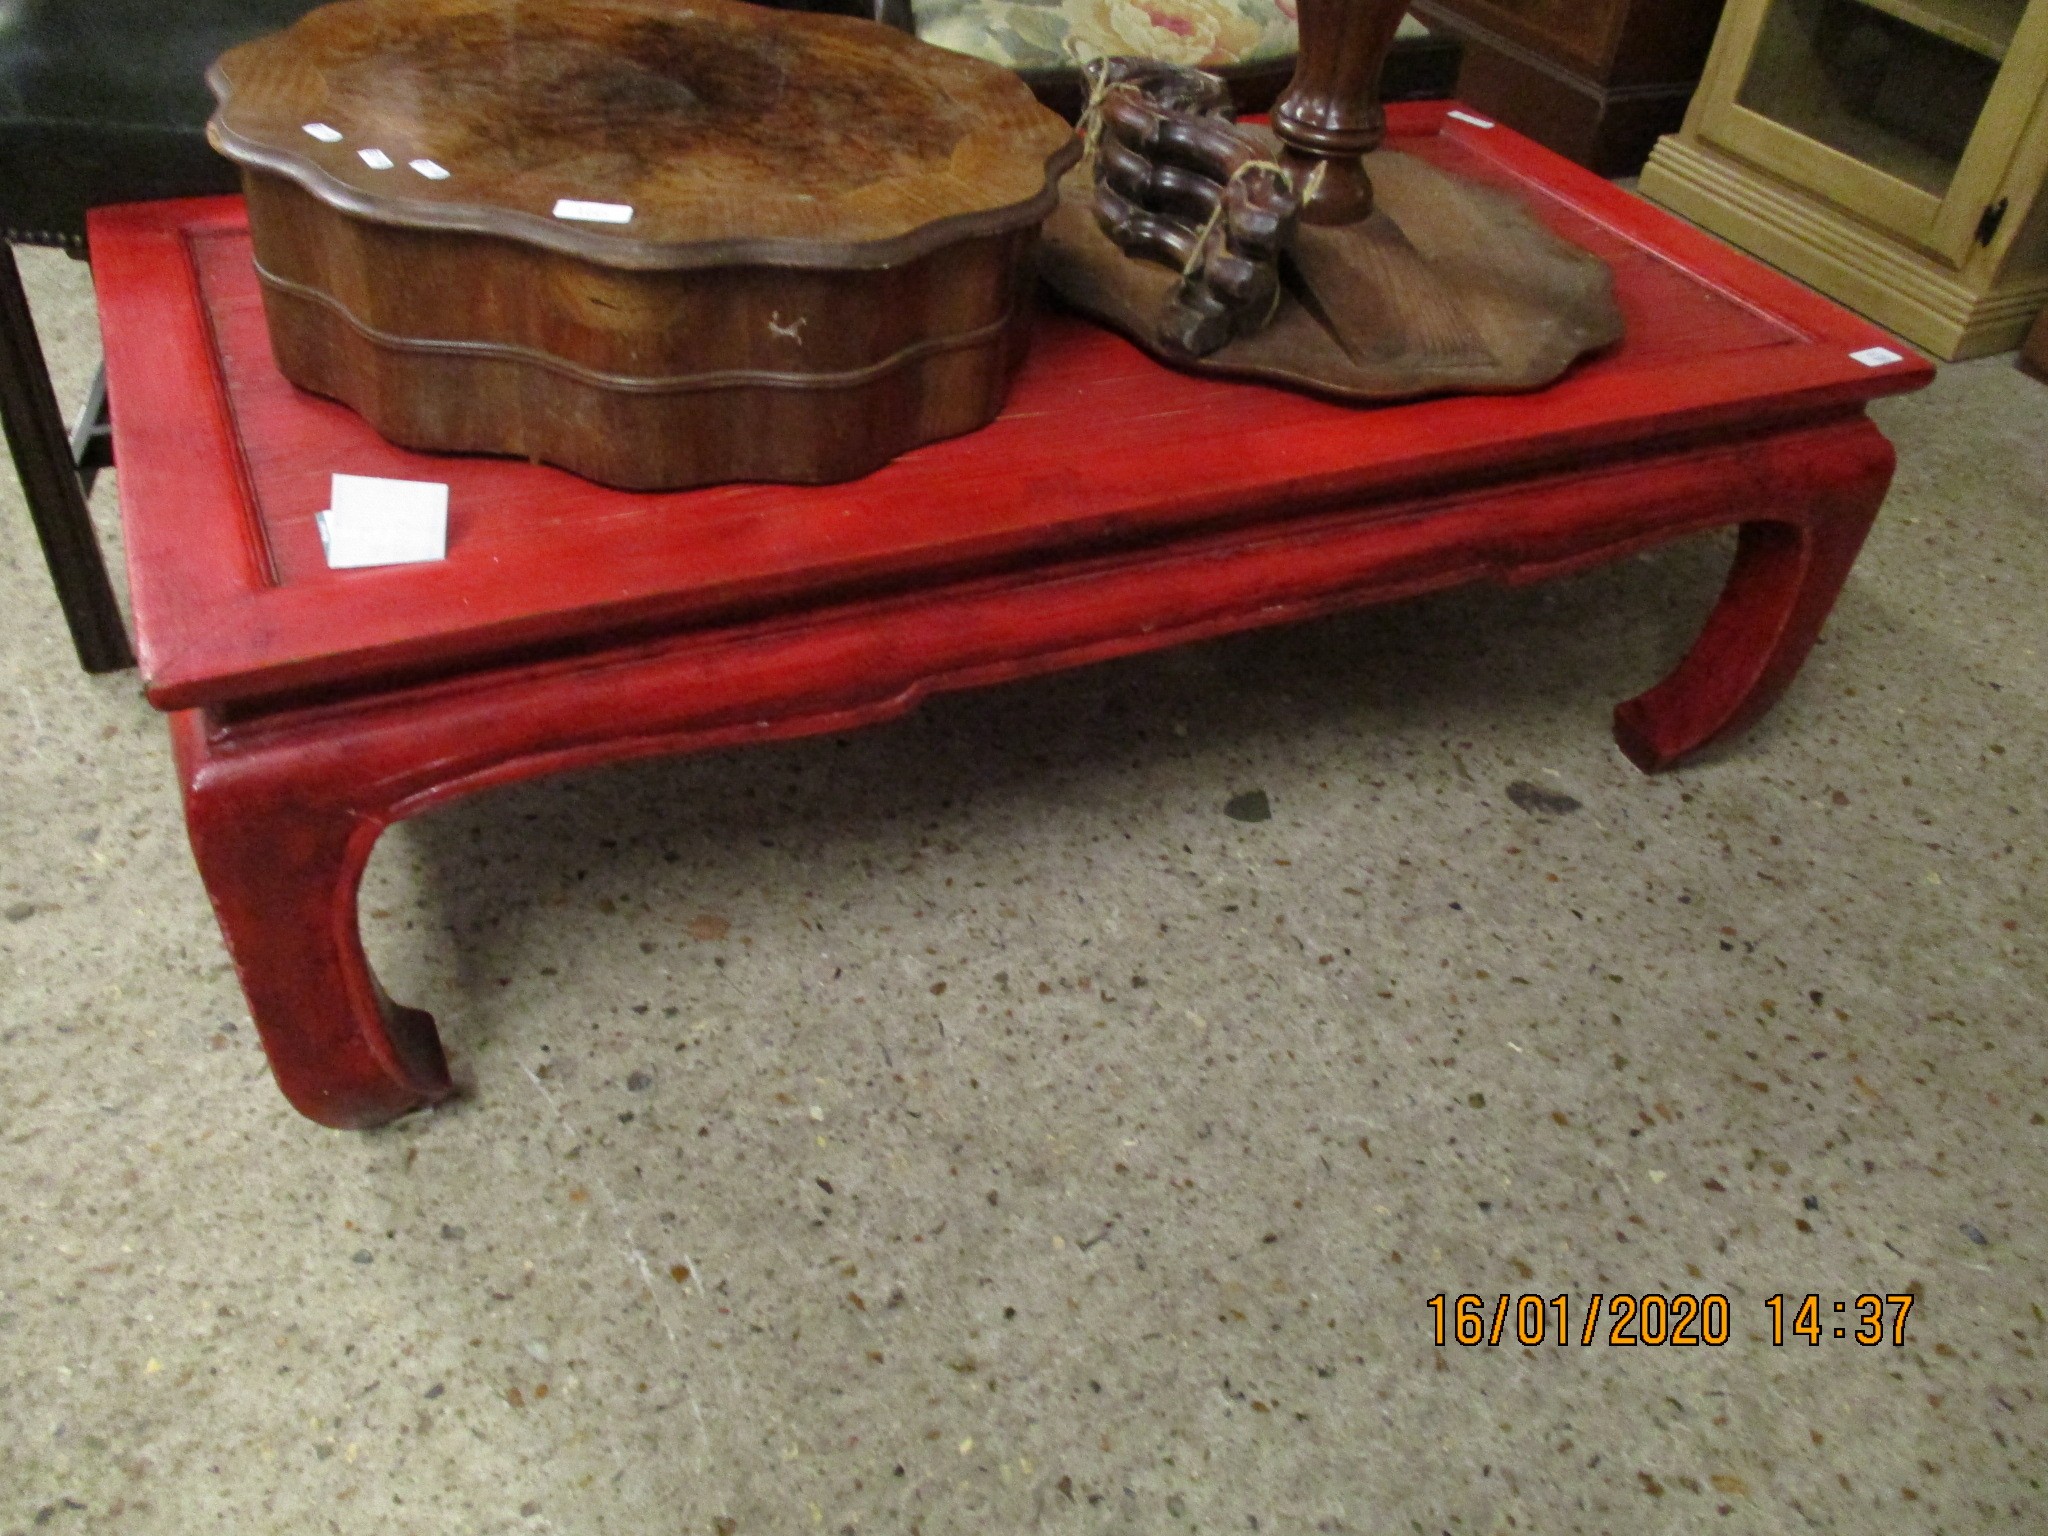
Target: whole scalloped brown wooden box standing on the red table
[{"x": 658, "y": 243}]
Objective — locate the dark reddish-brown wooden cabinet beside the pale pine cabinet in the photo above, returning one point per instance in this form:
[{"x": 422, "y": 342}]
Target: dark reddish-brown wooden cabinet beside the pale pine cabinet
[{"x": 1596, "y": 81}]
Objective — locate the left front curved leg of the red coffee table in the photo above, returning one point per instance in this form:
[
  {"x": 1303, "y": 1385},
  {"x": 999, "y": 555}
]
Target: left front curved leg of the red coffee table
[{"x": 284, "y": 871}]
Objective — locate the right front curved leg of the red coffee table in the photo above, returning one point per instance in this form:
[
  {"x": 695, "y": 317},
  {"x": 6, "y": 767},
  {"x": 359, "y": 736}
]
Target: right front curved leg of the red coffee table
[{"x": 1785, "y": 583}]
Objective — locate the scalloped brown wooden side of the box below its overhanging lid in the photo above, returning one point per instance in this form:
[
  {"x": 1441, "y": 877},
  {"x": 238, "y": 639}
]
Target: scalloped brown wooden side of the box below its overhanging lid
[{"x": 937, "y": 349}]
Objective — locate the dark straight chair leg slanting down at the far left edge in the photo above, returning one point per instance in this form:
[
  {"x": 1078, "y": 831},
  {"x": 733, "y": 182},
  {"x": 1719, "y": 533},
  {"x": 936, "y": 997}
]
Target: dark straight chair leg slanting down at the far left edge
[{"x": 50, "y": 480}]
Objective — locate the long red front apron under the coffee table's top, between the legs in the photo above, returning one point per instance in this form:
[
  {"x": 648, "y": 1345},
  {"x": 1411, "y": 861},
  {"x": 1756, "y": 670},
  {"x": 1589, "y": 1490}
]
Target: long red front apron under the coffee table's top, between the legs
[{"x": 396, "y": 755}]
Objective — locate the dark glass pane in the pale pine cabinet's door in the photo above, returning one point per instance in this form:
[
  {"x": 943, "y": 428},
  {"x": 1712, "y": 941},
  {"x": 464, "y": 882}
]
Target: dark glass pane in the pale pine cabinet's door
[{"x": 1897, "y": 85}]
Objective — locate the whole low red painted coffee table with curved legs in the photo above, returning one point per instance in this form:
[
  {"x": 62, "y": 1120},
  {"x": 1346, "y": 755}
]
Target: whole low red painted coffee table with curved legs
[{"x": 1115, "y": 507}]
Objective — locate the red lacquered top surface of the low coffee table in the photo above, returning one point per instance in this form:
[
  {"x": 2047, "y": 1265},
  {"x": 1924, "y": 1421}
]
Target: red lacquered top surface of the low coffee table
[{"x": 224, "y": 464}]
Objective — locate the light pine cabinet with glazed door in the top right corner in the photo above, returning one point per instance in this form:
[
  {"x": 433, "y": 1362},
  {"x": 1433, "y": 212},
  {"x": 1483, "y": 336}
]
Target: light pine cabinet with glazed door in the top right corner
[{"x": 1889, "y": 153}]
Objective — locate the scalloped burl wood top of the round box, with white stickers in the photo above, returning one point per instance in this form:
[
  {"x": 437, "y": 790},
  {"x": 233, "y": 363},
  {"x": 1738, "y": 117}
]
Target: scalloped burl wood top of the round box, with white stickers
[{"x": 642, "y": 132}]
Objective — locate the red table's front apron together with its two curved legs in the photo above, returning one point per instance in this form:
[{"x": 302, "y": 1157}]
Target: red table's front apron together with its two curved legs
[{"x": 284, "y": 808}]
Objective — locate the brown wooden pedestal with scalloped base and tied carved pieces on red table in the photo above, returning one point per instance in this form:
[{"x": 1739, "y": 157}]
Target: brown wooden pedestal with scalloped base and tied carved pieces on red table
[{"x": 1275, "y": 255}]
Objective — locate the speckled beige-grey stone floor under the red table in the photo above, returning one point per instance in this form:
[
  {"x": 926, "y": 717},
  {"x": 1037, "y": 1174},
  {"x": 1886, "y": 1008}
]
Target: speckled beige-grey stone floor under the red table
[{"x": 970, "y": 1127}]
